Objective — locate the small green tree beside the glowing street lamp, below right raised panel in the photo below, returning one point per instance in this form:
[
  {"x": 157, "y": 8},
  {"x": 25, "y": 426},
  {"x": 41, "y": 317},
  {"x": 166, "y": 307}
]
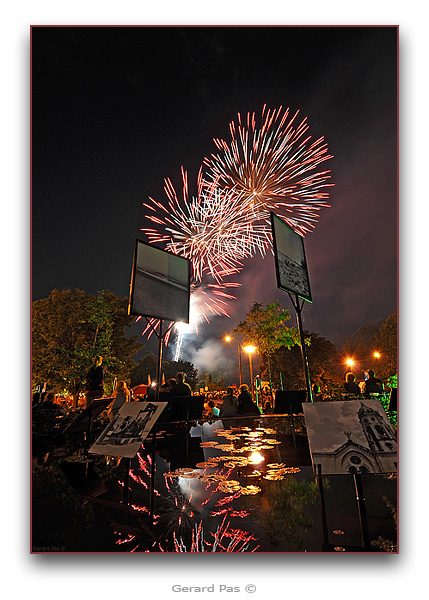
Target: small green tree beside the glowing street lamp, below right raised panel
[{"x": 265, "y": 328}]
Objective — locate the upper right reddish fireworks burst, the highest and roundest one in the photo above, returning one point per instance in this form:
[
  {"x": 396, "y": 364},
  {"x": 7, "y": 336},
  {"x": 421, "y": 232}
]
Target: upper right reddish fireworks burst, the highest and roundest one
[{"x": 273, "y": 168}]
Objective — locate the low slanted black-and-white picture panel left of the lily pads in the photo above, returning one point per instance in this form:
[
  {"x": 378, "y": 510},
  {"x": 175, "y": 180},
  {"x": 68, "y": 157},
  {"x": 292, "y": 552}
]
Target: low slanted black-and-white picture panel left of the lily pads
[{"x": 128, "y": 429}]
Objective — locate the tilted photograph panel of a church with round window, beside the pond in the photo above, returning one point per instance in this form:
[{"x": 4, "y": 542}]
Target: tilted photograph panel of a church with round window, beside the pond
[{"x": 353, "y": 437}]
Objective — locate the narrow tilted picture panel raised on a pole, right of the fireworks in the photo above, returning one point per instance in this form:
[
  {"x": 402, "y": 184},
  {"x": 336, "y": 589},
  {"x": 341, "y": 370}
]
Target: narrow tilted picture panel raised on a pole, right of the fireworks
[{"x": 289, "y": 255}]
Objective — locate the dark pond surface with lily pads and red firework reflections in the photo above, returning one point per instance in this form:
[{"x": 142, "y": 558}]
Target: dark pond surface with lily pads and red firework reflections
[{"x": 216, "y": 489}]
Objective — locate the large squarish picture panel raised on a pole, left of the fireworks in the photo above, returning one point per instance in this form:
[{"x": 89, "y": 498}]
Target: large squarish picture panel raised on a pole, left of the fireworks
[{"x": 160, "y": 284}]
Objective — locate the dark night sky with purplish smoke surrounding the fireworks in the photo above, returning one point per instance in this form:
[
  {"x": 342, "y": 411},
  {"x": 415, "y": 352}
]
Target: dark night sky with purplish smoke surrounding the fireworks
[{"x": 116, "y": 110}]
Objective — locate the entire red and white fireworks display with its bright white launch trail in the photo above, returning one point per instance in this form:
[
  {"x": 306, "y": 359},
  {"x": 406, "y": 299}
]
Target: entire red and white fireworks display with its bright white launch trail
[{"x": 274, "y": 167}]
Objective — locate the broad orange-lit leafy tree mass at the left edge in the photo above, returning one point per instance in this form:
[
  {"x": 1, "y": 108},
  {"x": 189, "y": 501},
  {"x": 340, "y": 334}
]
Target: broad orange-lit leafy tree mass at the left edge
[{"x": 70, "y": 328}]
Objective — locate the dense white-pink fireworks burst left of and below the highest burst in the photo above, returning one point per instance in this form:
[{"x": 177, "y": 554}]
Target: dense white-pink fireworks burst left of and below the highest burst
[{"x": 216, "y": 229}]
